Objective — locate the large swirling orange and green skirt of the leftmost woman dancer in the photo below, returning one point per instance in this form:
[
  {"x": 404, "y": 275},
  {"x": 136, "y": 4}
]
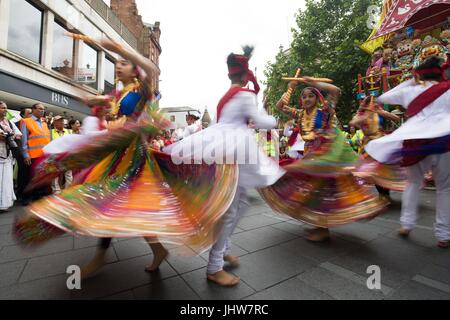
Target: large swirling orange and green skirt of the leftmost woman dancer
[{"x": 130, "y": 191}]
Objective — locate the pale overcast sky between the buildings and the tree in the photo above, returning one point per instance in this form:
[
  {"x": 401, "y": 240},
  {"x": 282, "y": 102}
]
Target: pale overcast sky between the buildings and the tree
[{"x": 197, "y": 36}]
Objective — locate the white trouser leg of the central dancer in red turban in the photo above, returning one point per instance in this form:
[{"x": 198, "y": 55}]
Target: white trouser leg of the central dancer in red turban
[{"x": 227, "y": 225}]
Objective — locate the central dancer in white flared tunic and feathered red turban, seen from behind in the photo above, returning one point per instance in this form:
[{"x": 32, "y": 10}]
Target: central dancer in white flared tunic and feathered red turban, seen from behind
[{"x": 231, "y": 141}]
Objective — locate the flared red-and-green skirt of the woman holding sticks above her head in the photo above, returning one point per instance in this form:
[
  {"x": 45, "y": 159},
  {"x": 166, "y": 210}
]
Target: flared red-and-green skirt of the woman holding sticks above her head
[{"x": 320, "y": 189}]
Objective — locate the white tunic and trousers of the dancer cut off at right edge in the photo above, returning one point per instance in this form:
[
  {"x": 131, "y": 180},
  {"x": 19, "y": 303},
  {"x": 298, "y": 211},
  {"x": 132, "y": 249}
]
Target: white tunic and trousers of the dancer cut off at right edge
[{"x": 431, "y": 122}]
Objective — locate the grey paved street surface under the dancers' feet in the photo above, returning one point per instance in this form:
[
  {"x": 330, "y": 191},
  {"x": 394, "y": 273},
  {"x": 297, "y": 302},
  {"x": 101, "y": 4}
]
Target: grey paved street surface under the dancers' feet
[{"x": 276, "y": 262}]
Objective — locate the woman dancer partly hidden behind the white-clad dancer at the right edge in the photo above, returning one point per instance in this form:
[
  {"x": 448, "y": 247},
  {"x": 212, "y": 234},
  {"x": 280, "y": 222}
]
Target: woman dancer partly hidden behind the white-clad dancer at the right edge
[{"x": 370, "y": 119}]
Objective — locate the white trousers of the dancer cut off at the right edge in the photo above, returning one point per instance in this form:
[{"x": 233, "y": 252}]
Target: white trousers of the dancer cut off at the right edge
[{"x": 440, "y": 166}]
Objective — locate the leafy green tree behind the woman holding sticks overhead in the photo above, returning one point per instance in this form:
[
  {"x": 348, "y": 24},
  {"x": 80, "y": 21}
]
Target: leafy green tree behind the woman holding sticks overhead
[{"x": 325, "y": 44}]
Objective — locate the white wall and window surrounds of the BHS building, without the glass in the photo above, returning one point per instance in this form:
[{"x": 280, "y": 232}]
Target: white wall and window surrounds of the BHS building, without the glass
[{"x": 79, "y": 15}]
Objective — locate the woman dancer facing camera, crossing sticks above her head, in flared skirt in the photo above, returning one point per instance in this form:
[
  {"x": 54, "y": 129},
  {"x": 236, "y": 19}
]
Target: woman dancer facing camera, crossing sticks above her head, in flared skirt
[{"x": 320, "y": 189}]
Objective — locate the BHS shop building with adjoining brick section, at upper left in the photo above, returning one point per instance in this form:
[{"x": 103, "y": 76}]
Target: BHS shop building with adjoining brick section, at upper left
[{"x": 48, "y": 67}]
